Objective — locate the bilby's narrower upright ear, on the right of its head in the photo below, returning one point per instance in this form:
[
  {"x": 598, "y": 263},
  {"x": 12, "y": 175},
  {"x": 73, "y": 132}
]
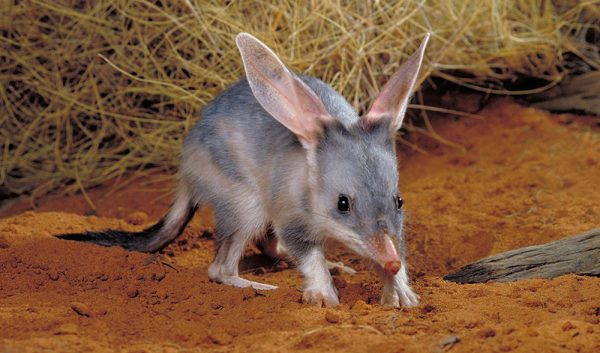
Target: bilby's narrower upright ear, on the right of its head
[{"x": 393, "y": 99}]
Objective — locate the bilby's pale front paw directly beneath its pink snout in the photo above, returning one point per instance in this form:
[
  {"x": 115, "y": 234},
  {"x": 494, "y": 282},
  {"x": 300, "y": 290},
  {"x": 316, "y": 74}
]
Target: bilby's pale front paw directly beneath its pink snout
[{"x": 396, "y": 289}]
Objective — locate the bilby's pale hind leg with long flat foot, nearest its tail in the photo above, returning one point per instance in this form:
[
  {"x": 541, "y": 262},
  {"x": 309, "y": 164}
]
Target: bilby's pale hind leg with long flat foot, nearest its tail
[{"x": 235, "y": 229}]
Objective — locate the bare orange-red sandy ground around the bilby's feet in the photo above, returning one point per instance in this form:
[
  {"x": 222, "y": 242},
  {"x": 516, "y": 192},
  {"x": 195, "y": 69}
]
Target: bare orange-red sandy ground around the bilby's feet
[{"x": 525, "y": 178}]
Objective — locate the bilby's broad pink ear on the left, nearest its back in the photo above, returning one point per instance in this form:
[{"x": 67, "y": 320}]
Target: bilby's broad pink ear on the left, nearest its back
[{"x": 280, "y": 92}]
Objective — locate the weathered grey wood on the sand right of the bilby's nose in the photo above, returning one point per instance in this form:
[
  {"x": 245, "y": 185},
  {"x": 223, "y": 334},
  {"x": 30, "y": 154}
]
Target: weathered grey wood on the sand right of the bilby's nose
[{"x": 579, "y": 254}]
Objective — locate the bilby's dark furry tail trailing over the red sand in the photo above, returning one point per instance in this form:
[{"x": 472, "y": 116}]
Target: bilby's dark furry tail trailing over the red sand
[{"x": 148, "y": 240}]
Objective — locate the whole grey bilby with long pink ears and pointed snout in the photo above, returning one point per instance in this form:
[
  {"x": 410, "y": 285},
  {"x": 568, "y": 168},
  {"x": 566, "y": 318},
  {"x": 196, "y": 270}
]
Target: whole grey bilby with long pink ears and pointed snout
[{"x": 287, "y": 151}]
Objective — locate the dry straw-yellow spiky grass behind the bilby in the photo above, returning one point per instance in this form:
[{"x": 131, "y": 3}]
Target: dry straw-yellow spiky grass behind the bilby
[{"x": 90, "y": 90}]
